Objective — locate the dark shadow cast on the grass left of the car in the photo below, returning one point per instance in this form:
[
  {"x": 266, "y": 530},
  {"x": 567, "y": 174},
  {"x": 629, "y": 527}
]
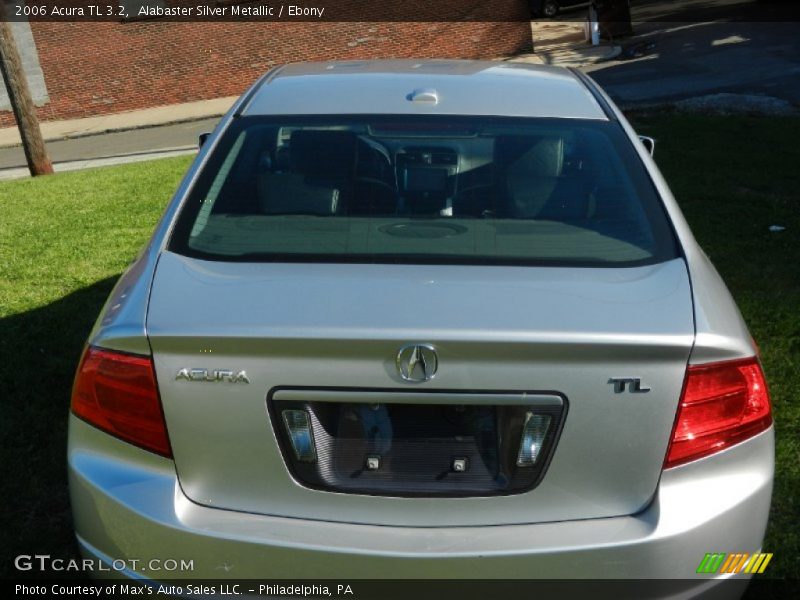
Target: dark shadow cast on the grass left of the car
[{"x": 39, "y": 352}]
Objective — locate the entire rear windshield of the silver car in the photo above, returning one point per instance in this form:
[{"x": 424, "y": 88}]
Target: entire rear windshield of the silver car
[{"x": 424, "y": 190}]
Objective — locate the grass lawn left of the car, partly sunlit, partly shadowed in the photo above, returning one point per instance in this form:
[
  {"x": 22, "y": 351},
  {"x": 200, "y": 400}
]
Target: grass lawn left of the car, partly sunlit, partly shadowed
[{"x": 64, "y": 240}]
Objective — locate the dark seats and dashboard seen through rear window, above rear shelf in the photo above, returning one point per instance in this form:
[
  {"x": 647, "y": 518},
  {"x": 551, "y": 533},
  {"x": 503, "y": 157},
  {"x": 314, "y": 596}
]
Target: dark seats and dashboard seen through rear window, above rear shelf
[{"x": 330, "y": 172}]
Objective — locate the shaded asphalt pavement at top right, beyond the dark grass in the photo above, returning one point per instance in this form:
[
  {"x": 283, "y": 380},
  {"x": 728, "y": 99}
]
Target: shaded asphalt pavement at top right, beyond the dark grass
[{"x": 702, "y": 48}]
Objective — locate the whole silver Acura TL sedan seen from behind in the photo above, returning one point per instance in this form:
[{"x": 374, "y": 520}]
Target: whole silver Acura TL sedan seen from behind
[{"x": 423, "y": 319}]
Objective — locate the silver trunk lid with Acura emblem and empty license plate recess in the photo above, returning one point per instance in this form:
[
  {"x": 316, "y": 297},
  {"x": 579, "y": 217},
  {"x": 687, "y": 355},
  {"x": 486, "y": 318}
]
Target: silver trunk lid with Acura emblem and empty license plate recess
[{"x": 504, "y": 337}]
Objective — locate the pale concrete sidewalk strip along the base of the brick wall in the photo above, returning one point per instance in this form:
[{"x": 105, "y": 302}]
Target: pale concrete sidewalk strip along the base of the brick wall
[{"x": 136, "y": 119}]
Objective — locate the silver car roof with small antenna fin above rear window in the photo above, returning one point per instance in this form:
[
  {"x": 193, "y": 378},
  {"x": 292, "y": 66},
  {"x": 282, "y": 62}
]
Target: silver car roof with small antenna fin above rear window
[{"x": 460, "y": 87}]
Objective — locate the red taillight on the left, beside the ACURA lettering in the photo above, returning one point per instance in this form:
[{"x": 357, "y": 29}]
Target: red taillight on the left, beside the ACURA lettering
[{"x": 117, "y": 392}]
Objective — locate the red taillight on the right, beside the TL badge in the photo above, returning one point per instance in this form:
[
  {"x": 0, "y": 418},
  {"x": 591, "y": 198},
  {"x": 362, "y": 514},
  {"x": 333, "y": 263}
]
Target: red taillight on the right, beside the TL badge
[{"x": 722, "y": 404}]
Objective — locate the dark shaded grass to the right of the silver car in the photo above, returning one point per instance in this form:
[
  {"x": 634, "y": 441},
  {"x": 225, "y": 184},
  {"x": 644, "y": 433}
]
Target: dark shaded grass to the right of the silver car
[{"x": 734, "y": 177}]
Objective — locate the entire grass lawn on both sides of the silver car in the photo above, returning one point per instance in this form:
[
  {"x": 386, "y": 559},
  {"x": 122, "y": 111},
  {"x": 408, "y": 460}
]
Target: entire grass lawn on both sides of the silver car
[{"x": 64, "y": 239}]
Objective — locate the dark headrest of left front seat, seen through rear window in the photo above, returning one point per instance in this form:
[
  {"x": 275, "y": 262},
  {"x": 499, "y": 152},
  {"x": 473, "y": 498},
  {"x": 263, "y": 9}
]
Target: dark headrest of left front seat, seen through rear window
[{"x": 323, "y": 153}]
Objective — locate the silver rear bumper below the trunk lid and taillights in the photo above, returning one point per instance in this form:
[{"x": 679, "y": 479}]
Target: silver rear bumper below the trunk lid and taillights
[{"x": 128, "y": 505}]
